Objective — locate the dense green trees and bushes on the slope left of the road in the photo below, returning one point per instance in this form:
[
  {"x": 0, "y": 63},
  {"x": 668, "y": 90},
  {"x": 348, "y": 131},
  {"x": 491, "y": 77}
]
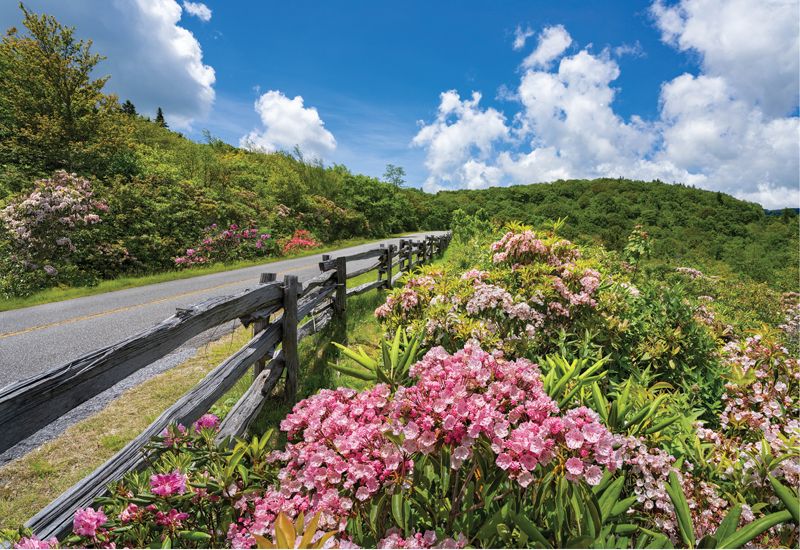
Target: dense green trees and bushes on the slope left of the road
[{"x": 160, "y": 191}]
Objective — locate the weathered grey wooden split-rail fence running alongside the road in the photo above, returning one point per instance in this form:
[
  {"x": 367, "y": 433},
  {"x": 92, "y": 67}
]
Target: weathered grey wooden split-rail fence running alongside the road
[{"x": 281, "y": 313}]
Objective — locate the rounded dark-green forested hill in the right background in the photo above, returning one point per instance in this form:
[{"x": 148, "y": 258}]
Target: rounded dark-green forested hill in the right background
[{"x": 688, "y": 225}]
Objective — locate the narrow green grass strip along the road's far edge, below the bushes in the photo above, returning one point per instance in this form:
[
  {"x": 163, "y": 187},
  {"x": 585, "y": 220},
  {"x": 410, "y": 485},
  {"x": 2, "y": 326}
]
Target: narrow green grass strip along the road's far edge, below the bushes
[{"x": 68, "y": 293}]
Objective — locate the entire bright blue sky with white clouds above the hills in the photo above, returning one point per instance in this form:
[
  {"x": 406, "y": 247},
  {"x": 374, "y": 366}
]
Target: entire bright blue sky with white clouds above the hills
[{"x": 472, "y": 94}]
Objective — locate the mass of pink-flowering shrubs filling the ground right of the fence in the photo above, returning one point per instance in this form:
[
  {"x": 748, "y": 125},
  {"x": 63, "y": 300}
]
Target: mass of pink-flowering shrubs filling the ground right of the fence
[{"x": 544, "y": 395}]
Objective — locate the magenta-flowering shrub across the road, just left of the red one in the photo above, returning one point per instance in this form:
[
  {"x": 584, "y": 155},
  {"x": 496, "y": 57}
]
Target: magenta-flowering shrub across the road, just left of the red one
[{"x": 228, "y": 245}]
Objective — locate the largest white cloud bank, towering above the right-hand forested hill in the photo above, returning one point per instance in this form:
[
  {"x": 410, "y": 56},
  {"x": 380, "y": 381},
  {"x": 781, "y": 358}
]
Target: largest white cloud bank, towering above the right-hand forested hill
[{"x": 717, "y": 129}]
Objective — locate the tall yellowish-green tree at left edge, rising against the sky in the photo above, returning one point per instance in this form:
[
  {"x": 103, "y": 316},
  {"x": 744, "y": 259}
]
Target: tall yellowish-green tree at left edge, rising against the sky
[{"x": 53, "y": 114}]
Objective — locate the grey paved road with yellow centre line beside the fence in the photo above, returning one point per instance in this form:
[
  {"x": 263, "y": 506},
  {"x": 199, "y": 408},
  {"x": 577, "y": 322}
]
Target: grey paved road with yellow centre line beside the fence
[{"x": 39, "y": 338}]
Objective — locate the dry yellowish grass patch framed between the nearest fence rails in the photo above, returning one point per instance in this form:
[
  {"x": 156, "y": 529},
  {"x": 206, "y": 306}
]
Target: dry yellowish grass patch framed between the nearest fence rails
[{"x": 32, "y": 481}]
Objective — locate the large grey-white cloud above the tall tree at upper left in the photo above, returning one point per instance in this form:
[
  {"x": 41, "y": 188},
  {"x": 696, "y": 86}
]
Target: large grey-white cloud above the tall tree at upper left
[{"x": 152, "y": 60}]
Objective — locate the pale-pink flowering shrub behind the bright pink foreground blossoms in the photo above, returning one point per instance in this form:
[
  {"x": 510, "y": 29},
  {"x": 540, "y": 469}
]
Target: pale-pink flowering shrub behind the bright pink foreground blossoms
[{"x": 536, "y": 290}]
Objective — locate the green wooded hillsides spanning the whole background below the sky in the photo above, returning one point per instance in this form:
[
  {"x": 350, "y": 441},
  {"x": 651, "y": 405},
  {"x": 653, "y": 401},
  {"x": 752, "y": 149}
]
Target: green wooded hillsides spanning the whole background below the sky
[{"x": 137, "y": 197}]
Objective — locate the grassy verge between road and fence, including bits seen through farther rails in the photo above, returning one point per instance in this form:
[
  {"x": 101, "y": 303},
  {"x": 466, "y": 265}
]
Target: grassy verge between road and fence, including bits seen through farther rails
[{"x": 32, "y": 481}]
